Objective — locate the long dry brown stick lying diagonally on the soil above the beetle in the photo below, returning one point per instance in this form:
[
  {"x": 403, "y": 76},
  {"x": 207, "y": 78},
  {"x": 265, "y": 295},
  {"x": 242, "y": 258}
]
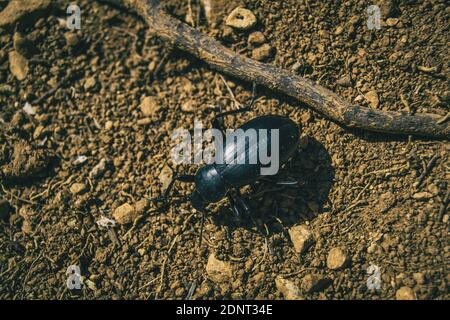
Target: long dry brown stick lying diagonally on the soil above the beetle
[{"x": 317, "y": 97}]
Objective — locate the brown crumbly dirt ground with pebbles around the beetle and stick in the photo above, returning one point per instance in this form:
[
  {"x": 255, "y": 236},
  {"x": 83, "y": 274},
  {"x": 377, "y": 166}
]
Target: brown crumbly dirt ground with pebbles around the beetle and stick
[{"x": 74, "y": 155}]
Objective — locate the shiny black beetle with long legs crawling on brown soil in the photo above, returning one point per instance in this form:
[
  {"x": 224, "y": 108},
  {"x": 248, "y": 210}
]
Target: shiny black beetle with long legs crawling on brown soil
[{"x": 213, "y": 182}]
